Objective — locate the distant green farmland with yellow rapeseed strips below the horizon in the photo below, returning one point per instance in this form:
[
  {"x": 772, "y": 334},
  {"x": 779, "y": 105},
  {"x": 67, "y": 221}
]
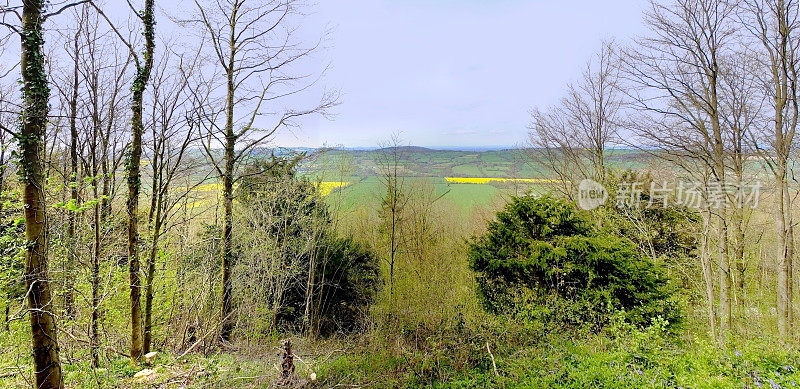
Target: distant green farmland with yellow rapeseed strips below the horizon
[{"x": 467, "y": 179}]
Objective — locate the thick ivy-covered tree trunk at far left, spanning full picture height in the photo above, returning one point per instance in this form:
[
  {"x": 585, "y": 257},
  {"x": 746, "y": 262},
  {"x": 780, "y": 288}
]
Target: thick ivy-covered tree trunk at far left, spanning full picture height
[{"x": 47, "y": 366}]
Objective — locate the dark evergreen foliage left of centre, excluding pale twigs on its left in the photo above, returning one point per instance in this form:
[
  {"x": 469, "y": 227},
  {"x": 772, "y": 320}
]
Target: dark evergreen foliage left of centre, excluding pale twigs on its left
[{"x": 345, "y": 275}]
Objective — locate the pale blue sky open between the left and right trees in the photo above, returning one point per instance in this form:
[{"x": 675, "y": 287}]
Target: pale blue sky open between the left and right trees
[{"x": 457, "y": 73}]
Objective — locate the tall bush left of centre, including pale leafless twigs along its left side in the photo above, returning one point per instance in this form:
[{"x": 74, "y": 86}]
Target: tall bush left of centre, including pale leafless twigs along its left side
[{"x": 293, "y": 271}]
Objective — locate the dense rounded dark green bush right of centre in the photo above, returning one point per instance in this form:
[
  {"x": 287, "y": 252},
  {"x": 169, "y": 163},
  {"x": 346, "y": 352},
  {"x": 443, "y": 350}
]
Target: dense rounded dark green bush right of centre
[{"x": 542, "y": 261}]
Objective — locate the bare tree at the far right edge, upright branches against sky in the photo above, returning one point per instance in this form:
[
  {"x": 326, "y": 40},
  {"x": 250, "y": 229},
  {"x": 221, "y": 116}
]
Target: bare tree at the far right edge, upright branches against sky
[{"x": 773, "y": 27}]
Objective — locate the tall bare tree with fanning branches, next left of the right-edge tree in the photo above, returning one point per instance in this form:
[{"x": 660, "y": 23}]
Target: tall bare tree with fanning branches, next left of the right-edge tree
[{"x": 676, "y": 74}]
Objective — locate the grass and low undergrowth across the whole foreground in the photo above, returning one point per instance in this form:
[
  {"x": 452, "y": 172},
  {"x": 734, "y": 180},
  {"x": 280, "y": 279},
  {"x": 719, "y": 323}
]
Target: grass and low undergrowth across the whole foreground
[{"x": 446, "y": 358}]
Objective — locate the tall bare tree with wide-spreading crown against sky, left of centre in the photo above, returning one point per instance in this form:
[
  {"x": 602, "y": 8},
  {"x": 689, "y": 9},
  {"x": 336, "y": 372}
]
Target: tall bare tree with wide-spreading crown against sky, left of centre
[{"x": 253, "y": 46}]
